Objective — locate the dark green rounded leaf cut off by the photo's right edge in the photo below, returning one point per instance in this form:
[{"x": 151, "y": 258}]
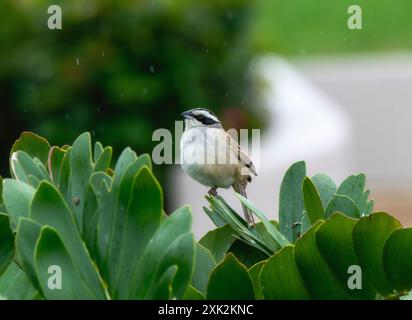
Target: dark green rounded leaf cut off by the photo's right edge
[{"x": 397, "y": 257}]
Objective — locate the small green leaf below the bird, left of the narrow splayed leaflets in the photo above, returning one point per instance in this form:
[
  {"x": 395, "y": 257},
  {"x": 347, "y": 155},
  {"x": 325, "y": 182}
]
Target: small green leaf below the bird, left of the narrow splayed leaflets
[{"x": 218, "y": 241}]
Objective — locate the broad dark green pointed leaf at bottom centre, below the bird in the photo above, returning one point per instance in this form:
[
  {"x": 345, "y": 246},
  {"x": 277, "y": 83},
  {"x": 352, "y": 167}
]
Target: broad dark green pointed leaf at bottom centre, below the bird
[{"x": 230, "y": 281}]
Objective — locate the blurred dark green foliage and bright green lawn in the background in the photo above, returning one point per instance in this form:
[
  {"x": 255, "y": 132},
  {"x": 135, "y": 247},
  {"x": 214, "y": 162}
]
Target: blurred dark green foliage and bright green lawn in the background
[{"x": 123, "y": 68}]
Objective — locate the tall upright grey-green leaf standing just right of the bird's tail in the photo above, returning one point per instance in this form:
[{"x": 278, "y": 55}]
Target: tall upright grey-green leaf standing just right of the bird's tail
[{"x": 291, "y": 205}]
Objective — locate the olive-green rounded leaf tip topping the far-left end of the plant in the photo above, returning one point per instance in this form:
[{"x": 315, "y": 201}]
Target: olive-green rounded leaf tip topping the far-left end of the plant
[{"x": 34, "y": 145}]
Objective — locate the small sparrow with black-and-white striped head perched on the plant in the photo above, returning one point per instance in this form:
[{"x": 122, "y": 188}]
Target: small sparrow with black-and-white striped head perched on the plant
[{"x": 210, "y": 156}]
